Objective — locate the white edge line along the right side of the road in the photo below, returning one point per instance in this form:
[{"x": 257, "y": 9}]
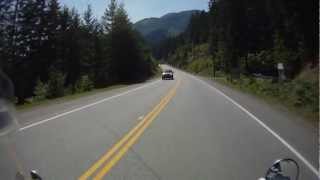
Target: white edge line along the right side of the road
[{"x": 292, "y": 149}]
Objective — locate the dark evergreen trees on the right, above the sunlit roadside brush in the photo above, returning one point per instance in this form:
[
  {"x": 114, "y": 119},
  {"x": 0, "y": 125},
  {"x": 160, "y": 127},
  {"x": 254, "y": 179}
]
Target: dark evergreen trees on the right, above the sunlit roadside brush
[{"x": 239, "y": 32}]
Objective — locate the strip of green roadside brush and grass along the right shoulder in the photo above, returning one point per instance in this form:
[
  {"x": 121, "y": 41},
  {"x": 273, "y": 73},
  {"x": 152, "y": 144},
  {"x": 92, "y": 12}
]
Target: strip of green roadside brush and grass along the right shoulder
[{"x": 299, "y": 96}]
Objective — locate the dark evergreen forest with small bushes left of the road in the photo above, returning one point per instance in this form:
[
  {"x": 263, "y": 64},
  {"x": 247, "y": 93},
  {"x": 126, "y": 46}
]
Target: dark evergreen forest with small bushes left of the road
[{"x": 49, "y": 51}]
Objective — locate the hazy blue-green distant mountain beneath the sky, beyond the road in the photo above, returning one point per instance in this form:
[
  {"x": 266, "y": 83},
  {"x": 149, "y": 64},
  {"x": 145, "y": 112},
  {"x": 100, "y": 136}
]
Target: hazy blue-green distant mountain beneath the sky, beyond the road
[{"x": 154, "y": 30}]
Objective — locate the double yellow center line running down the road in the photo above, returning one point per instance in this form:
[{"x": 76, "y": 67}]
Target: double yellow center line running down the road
[{"x": 114, "y": 155}]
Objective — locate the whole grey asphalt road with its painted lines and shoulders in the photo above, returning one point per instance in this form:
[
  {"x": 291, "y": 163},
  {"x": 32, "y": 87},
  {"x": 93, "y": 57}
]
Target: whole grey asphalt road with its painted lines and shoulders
[{"x": 181, "y": 129}]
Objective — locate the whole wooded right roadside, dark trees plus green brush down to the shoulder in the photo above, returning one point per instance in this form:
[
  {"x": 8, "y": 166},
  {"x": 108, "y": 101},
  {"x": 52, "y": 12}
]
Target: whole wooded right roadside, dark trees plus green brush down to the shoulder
[{"x": 244, "y": 40}]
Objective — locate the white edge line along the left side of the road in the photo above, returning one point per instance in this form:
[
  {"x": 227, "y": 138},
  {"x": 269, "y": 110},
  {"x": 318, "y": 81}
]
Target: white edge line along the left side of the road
[{"x": 86, "y": 106}]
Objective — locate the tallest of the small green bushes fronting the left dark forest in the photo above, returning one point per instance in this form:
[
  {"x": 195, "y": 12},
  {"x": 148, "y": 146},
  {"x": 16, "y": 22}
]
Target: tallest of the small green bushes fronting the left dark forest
[{"x": 56, "y": 84}]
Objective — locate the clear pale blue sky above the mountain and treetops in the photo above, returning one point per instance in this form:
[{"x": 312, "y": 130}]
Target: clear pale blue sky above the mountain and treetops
[{"x": 139, "y": 9}]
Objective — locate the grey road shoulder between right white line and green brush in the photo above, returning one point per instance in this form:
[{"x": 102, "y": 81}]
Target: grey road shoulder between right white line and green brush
[{"x": 292, "y": 128}]
